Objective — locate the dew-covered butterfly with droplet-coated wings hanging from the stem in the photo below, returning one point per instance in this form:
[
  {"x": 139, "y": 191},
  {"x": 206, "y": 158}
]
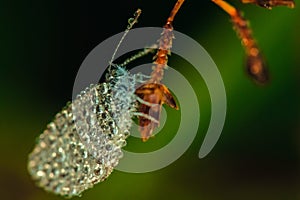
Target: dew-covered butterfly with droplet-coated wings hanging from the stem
[{"x": 82, "y": 145}]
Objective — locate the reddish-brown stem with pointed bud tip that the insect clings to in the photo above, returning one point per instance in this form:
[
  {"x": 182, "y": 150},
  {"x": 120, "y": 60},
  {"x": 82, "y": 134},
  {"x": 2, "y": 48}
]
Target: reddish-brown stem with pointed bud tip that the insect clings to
[{"x": 153, "y": 92}]
